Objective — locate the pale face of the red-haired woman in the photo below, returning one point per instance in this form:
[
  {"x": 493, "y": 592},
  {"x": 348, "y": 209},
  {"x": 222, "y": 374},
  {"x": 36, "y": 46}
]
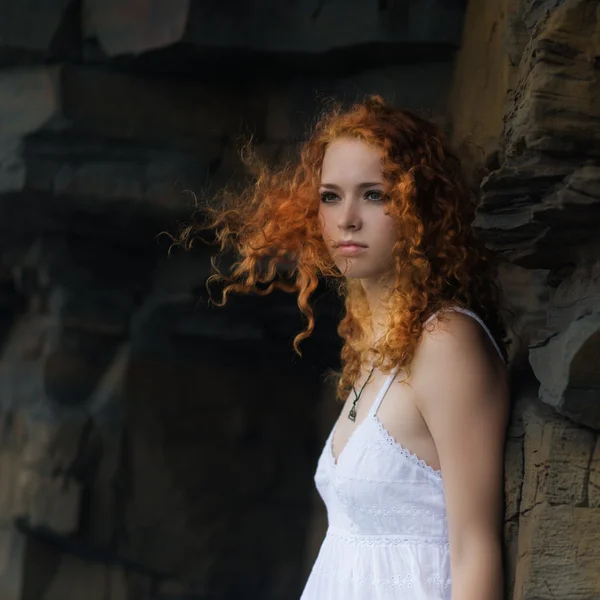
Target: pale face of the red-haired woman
[{"x": 352, "y": 210}]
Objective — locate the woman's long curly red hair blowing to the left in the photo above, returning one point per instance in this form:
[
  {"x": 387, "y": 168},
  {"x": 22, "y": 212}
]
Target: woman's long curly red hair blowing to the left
[{"x": 273, "y": 229}]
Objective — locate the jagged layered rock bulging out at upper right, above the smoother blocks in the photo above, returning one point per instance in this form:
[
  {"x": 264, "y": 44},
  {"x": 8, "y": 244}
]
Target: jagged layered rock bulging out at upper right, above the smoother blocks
[{"x": 550, "y": 175}]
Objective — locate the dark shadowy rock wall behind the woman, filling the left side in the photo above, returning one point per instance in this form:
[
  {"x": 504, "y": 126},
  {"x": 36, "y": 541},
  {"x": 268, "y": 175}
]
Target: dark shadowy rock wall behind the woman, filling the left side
[{"x": 153, "y": 447}]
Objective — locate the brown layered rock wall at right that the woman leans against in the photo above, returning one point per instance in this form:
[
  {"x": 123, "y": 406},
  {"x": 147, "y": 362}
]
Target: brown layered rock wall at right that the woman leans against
[{"x": 540, "y": 210}]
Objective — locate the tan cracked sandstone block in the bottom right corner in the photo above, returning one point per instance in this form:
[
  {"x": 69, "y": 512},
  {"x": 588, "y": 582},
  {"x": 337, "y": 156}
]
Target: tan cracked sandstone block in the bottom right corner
[{"x": 556, "y": 546}]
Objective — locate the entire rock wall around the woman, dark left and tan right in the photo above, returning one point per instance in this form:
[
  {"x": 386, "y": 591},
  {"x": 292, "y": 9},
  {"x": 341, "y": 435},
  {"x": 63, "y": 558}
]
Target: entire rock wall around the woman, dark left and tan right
[{"x": 154, "y": 447}]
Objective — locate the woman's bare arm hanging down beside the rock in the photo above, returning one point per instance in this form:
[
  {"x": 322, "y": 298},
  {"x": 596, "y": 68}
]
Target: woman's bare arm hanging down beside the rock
[{"x": 462, "y": 392}]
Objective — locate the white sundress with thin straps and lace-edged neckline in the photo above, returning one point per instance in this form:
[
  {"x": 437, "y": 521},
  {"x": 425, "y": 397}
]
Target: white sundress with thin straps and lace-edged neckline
[{"x": 387, "y": 536}]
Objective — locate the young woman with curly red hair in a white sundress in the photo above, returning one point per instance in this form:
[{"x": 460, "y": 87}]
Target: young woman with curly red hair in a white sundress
[{"x": 412, "y": 472}]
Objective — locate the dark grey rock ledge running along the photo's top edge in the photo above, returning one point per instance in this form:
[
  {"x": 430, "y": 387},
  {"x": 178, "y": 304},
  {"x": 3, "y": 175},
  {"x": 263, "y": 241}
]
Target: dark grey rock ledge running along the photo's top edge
[{"x": 132, "y": 27}]
